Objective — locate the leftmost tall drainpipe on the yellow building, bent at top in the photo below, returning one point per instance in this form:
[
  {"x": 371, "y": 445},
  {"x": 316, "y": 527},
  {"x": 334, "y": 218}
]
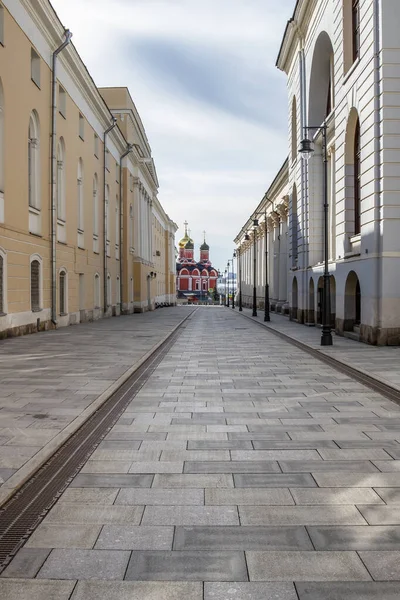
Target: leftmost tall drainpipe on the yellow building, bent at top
[{"x": 53, "y": 177}]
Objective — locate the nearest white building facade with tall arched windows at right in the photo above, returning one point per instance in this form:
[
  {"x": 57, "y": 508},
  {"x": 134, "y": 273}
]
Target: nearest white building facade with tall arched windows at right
[{"x": 342, "y": 61}]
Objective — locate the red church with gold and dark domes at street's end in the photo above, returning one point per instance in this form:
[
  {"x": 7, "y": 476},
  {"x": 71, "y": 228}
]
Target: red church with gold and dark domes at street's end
[{"x": 195, "y": 280}]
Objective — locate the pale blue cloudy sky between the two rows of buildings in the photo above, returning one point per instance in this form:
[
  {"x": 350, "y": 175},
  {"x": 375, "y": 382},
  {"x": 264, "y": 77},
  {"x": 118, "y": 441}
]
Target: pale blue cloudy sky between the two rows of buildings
[{"x": 203, "y": 77}]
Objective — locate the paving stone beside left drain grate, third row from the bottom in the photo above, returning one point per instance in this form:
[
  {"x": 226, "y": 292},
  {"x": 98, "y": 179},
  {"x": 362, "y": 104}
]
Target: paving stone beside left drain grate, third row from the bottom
[{"x": 64, "y": 536}]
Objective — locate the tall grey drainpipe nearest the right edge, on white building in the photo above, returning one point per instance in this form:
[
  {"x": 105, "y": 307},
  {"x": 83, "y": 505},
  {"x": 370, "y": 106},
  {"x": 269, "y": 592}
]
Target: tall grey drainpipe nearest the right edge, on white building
[{"x": 377, "y": 166}]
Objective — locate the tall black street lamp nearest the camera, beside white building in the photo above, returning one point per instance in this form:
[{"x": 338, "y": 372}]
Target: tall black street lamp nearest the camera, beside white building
[{"x": 306, "y": 150}]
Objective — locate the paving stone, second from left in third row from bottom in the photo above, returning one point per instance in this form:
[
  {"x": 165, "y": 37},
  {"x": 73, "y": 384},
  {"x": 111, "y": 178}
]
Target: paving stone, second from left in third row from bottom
[{"x": 131, "y": 537}]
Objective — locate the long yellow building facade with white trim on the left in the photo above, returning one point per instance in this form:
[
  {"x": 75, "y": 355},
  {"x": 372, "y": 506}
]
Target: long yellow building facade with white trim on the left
[{"x": 78, "y": 187}]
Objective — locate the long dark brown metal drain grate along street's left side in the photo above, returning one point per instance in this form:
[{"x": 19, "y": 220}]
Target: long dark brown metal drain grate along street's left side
[{"x": 26, "y": 509}]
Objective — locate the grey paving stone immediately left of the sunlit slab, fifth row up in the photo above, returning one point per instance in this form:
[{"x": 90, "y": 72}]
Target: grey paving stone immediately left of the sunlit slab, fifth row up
[{"x": 251, "y": 496}]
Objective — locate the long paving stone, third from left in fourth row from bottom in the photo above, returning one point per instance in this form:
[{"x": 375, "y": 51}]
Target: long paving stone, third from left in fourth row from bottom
[{"x": 300, "y": 515}]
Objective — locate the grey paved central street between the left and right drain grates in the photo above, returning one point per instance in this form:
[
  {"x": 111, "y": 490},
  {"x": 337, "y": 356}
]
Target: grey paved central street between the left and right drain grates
[{"x": 244, "y": 469}]
